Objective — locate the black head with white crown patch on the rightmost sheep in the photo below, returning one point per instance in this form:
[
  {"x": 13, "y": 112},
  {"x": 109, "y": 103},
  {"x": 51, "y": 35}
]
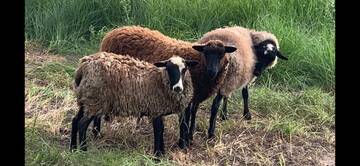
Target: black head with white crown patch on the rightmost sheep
[{"x": 267, "y": 54}]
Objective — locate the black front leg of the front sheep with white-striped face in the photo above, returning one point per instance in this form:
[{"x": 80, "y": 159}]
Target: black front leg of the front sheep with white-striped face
[{"x": 158, "y": 127}]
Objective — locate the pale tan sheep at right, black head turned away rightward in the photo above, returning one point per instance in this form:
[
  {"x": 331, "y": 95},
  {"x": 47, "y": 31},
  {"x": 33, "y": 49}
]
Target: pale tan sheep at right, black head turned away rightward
[{"x": 255, "y": 52}]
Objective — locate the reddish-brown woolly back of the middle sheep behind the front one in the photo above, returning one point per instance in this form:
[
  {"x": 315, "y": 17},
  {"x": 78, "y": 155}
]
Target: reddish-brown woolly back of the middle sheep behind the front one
[{"x": 146, "y": 44}]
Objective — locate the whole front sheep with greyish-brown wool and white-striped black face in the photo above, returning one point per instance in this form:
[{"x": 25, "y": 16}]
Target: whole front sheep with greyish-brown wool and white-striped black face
[{"x": 116, "y": 85}]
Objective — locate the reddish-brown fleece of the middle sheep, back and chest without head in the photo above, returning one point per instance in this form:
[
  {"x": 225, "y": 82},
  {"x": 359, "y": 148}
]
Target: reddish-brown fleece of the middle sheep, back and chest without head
[{"x": 153, "y": 46}]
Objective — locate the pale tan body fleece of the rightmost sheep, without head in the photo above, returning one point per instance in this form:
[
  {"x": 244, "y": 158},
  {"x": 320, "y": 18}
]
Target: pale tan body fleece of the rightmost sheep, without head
[{"x": 241, "y": 63}]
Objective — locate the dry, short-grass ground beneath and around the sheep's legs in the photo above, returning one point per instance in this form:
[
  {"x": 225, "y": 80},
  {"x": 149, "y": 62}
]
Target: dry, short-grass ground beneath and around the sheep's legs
[{"x": 288, "y": 128}]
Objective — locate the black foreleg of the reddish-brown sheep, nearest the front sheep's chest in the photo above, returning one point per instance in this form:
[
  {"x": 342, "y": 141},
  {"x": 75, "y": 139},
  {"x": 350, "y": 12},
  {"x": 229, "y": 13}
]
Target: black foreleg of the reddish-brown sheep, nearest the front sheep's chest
[{"x": 184, "y": 130}]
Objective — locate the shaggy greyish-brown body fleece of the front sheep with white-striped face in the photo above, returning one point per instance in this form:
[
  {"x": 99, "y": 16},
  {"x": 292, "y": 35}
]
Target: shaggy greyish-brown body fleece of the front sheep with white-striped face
[{"x": 126, "y": 86}]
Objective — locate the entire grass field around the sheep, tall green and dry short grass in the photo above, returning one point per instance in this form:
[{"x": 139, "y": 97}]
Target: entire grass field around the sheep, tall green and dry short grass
[{"x": 293, "y": 104}]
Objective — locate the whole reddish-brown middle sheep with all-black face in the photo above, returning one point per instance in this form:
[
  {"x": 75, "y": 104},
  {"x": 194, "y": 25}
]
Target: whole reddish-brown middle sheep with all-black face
[{"x": 152, "y": 46}]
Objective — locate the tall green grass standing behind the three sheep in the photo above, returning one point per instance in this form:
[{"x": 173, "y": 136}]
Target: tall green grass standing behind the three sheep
[{"x": 306, "y": 28}]
